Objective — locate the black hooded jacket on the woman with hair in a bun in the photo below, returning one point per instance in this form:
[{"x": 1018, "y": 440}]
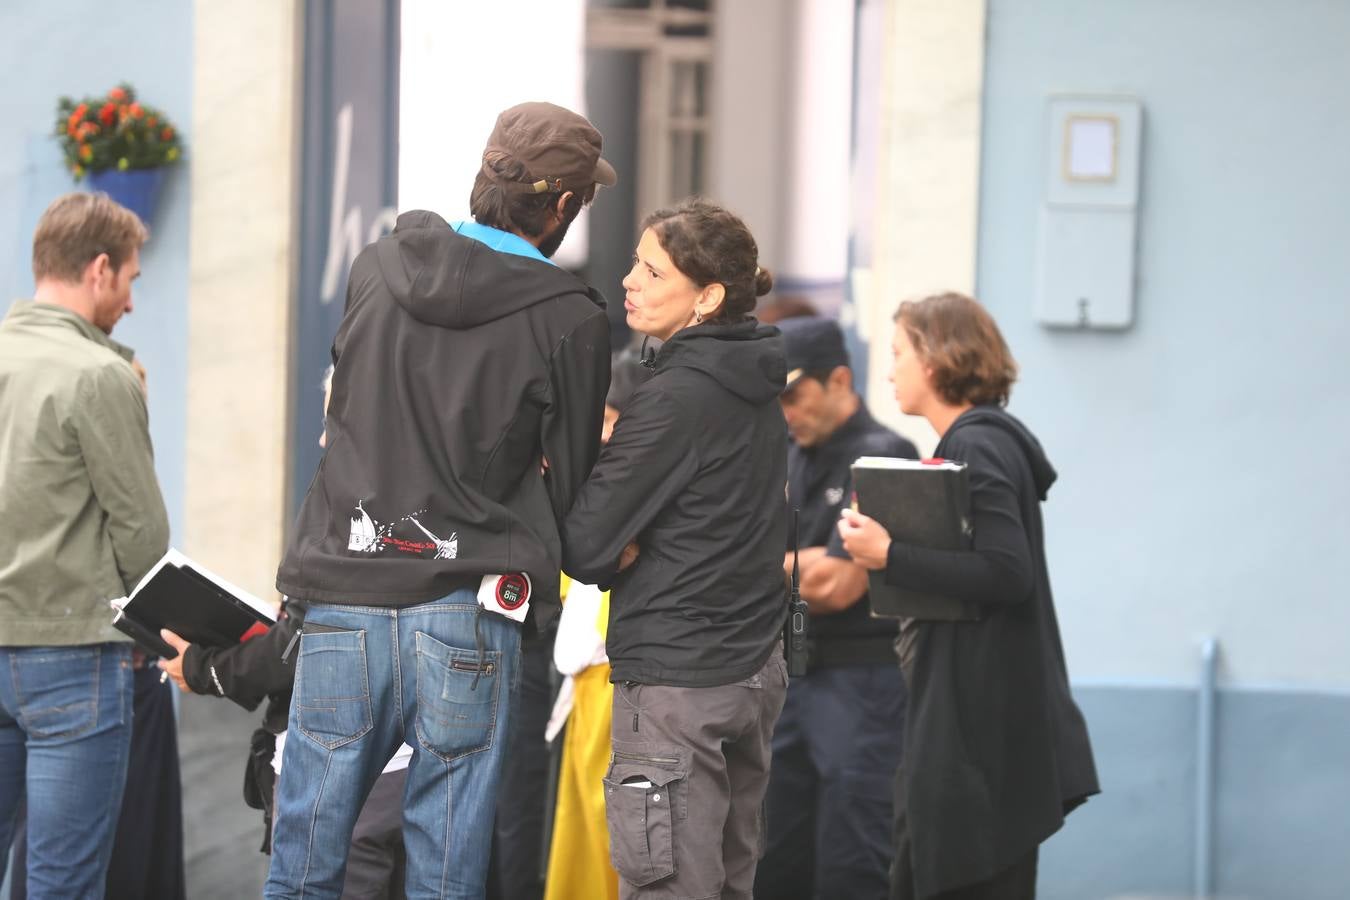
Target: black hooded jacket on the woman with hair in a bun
[{"x": 695, "y": 473}]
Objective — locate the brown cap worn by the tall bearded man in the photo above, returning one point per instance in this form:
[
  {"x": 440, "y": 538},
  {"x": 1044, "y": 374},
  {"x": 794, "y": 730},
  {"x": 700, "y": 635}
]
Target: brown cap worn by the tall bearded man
[{"x": 558, "y": 148}]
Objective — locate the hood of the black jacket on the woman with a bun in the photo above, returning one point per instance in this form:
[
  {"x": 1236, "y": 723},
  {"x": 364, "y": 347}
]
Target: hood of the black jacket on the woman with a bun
[{"x": 746, "y": 358}]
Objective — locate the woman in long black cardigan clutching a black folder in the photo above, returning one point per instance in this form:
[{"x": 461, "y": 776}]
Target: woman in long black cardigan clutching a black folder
[{"x": 997, "y": 754}]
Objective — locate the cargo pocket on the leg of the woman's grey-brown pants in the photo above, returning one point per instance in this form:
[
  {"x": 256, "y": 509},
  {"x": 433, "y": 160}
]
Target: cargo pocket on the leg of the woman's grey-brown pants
[{"x": 645, "y": 797}]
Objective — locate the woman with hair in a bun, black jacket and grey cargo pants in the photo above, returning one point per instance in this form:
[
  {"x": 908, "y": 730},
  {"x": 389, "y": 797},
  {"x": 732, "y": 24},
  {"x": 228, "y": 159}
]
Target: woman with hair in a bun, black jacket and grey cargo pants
[{"x": 695, "y": 478}]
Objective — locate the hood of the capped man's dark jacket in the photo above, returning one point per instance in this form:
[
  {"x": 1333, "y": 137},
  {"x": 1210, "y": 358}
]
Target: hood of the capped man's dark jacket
[{"x": 445, "y": 279}]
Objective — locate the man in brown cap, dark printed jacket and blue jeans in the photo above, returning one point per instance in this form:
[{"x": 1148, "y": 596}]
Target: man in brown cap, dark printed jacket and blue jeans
[{"x": 468, "y": 397}]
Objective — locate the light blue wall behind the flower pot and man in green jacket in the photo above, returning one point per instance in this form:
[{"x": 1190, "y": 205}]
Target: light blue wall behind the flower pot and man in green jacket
[{"x": 83, "y": 48}]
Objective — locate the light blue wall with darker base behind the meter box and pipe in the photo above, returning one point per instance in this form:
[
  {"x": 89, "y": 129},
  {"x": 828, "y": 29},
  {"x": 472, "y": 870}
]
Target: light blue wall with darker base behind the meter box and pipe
[{"x": 1201, "y": 451}]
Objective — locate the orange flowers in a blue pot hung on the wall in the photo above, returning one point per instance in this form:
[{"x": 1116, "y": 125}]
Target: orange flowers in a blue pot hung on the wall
[{"x": 121, "y": 145}]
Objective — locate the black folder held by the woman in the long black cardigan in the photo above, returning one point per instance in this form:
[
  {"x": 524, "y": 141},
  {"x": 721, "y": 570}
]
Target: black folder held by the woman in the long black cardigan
[{"x": 925, "y": 504}]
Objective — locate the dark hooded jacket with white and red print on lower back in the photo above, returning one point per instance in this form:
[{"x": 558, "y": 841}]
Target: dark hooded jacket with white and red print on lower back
[{"x": 458, "y": 370}]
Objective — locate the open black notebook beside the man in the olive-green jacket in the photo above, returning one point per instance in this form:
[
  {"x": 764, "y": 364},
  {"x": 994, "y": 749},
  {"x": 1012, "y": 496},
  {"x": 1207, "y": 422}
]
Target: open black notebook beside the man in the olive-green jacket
[{"x": 192, "y": 602}]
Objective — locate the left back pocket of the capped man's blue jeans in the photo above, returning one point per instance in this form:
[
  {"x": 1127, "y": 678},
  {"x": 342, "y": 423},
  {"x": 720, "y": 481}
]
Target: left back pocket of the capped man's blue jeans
[{"x": 333, "y": 686}]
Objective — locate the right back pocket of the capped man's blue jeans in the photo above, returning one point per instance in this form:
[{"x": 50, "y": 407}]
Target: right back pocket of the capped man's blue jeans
[{"x": 458, "y": 692}]
